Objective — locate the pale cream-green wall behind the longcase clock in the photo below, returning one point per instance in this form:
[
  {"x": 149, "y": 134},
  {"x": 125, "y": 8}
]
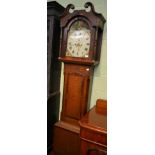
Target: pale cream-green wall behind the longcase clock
[{"x": 99, "y": 88}]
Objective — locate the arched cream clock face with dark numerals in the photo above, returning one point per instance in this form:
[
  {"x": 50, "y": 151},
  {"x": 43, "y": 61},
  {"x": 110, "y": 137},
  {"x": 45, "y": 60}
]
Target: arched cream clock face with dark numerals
[{"x": 78, "y": 42}]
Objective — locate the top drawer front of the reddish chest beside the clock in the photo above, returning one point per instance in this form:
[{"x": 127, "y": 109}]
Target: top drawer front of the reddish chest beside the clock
[{"x": 94, "y": 136}]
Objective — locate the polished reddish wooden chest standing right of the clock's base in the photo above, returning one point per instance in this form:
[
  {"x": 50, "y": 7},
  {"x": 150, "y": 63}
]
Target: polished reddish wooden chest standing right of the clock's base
[{"x": 93, "y": 130}]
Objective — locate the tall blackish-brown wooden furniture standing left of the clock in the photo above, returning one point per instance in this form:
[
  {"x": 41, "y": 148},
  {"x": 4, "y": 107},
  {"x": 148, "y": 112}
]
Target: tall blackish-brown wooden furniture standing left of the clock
[{"x": 53, "y": 67}]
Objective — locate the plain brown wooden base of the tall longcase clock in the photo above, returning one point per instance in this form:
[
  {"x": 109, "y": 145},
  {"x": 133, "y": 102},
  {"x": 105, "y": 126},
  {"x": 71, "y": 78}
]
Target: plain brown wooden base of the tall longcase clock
[{"x": 66, "y": 139}]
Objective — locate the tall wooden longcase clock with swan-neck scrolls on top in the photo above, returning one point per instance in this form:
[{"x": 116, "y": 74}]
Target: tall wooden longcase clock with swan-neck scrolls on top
[{"x": 80, "y": 47}]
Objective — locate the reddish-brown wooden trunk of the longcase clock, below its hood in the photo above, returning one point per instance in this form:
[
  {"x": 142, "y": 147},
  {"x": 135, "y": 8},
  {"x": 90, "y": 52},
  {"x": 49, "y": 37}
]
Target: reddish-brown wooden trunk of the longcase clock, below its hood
[{"x": 77, "y": 82}]
